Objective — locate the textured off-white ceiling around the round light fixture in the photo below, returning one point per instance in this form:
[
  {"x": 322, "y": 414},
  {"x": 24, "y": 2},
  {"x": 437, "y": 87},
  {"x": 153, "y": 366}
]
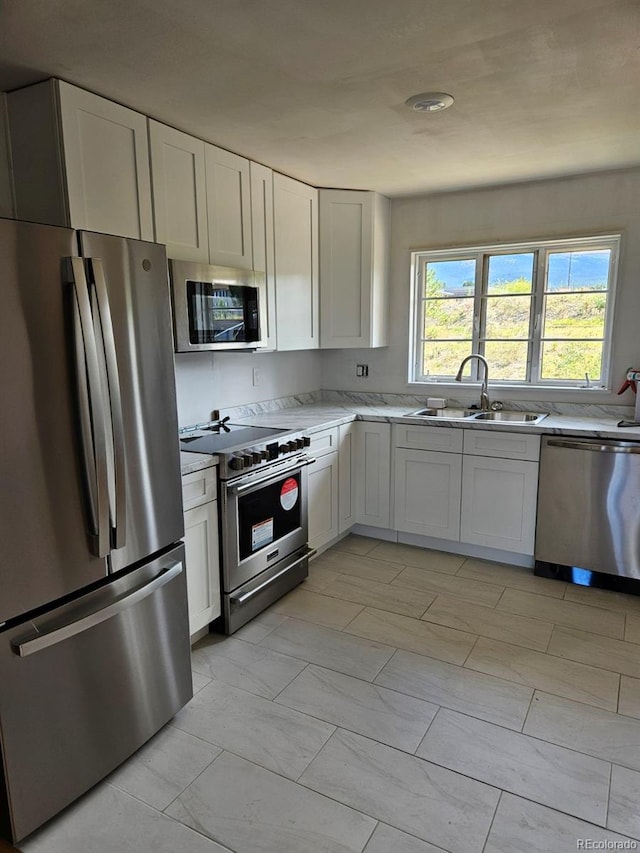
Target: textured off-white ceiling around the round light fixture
[{"x": 316, "y": 88}]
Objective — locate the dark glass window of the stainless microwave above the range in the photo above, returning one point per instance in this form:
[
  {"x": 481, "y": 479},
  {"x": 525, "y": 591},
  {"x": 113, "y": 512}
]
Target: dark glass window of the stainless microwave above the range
[{"x": 222, "y": 313}]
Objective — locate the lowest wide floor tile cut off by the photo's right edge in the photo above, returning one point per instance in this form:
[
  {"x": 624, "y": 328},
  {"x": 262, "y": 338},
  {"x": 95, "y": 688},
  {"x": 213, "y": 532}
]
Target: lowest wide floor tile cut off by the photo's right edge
[{"x": 602, "y": 734}]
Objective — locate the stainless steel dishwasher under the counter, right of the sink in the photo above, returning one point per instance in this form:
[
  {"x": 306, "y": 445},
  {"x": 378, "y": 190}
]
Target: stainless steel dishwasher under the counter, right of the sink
[{"x": 589, "y": 507}]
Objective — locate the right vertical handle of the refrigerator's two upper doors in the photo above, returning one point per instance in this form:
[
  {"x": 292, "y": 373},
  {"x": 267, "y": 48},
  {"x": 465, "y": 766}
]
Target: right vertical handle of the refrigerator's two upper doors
[{"x": 105, "y": 326}]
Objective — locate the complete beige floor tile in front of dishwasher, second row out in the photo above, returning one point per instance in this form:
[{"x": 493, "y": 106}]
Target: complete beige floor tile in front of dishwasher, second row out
[{"x": 563, "y": 612}]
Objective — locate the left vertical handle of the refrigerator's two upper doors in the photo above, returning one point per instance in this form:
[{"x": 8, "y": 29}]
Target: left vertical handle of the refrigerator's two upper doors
[{"x": 91, "y": 410}]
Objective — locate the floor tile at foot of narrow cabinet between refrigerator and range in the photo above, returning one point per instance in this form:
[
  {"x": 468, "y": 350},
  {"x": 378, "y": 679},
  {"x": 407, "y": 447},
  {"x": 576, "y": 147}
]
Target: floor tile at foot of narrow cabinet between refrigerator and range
[{"x": 246, "y": 665}]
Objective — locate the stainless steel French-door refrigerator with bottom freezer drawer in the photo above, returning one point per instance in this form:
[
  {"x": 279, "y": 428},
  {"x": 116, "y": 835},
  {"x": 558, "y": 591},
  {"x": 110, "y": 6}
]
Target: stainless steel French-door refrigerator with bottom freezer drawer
[{"x": 94, "y": 641}]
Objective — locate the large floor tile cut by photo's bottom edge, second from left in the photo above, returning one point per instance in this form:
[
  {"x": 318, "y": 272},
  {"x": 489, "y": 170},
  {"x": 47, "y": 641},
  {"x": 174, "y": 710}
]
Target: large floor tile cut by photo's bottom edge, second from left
[{"x": 252, "y": 810}]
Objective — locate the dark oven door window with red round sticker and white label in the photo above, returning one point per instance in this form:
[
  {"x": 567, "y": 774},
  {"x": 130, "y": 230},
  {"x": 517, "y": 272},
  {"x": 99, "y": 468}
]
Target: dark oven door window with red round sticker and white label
[{"x": 268, "y": 514}]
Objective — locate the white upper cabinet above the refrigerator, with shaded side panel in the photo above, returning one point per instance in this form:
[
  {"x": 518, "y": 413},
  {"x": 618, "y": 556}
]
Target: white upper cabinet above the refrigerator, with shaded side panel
[{"x": 80, "y": 160}]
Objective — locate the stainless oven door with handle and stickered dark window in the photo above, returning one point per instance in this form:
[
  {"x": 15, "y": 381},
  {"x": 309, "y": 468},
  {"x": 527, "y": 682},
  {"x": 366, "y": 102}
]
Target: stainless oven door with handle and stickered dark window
[{"x": 264, "y": 519}]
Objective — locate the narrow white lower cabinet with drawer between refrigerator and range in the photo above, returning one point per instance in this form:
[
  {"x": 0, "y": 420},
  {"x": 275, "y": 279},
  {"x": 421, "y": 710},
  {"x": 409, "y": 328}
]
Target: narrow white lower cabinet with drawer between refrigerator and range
[{"x": 202, "y": 550}]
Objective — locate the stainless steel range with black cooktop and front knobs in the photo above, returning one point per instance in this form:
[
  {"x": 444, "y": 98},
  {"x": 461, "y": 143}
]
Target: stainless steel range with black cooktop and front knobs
[{"x": 263, "y": 513}]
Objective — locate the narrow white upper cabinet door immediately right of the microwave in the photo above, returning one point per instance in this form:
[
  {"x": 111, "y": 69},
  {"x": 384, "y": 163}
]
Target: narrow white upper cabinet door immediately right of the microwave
[{"x": 263, "y": 243}]
